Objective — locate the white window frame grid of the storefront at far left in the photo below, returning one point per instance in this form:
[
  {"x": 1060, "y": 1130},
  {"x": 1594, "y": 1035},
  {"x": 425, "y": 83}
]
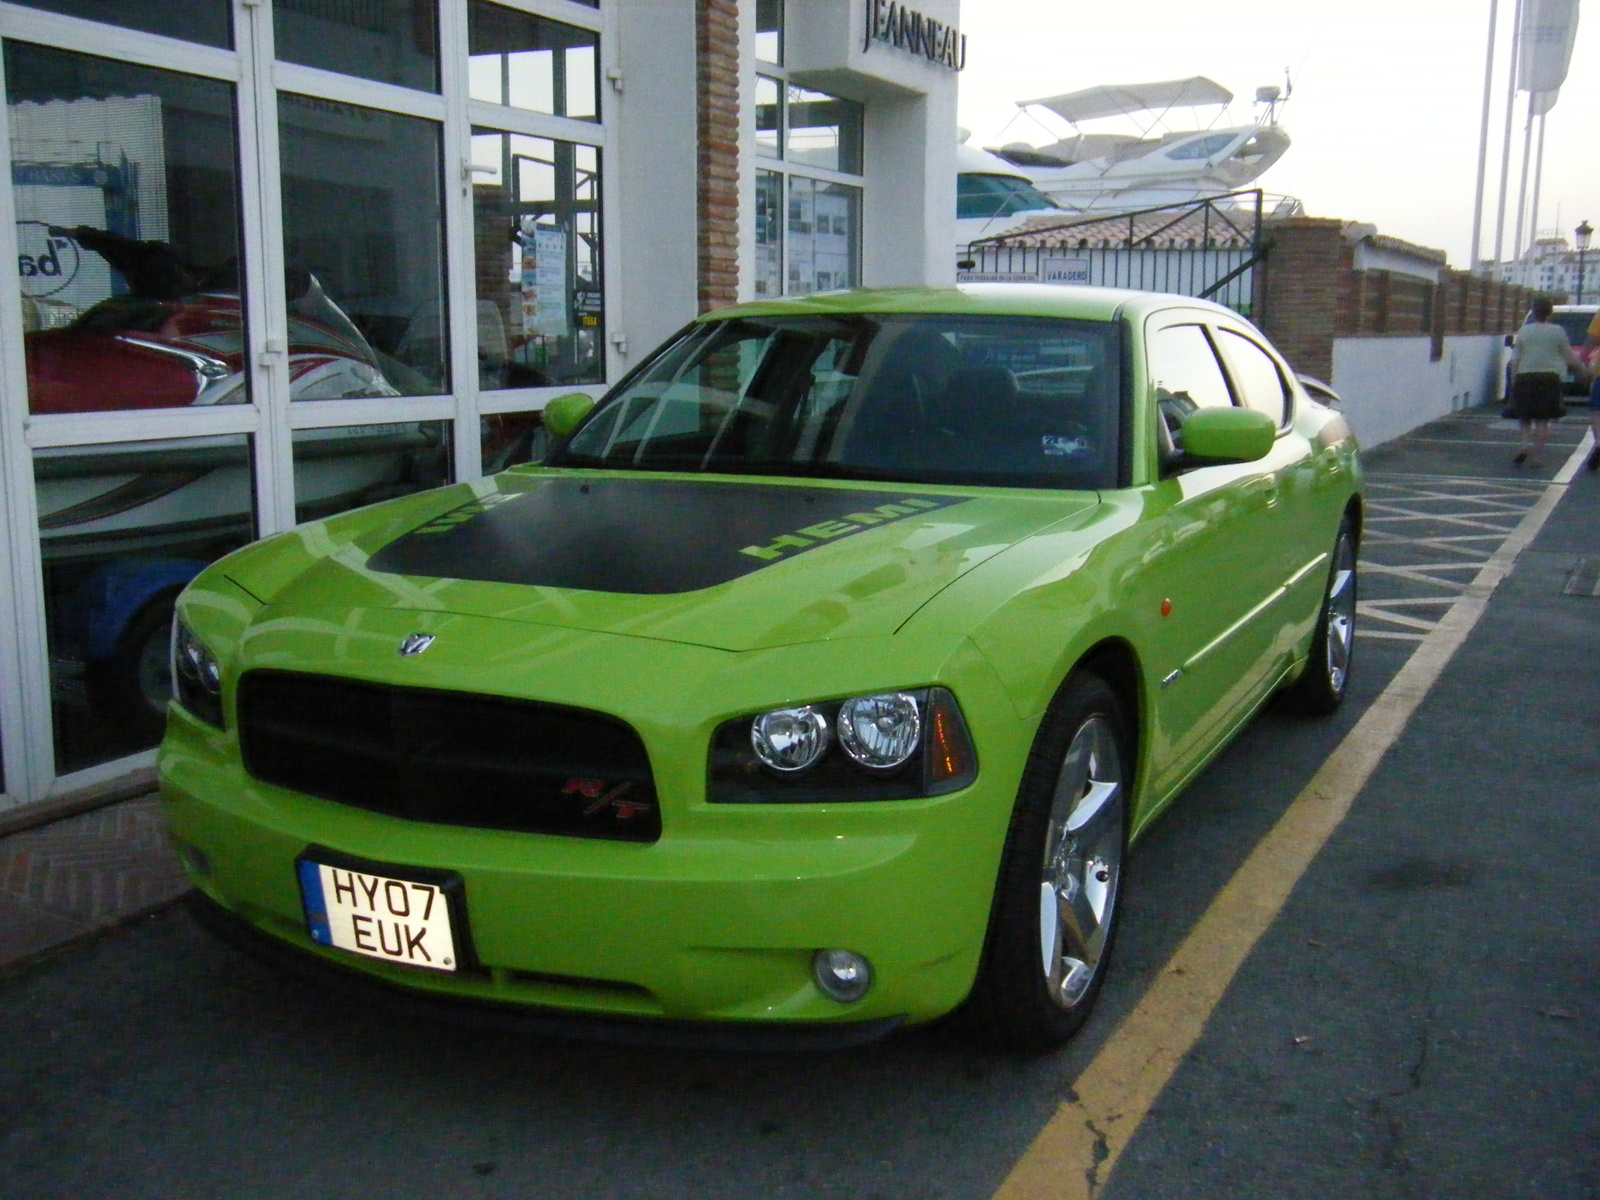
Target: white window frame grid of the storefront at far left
[{"x": 271, "y": 418}]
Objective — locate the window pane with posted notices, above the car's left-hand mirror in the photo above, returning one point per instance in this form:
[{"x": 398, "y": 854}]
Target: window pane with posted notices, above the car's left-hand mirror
[{"x": 537, "y": 230}]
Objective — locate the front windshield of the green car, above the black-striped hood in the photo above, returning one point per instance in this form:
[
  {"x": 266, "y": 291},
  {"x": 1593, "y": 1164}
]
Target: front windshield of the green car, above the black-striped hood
[{"x": 932, "y": 399}]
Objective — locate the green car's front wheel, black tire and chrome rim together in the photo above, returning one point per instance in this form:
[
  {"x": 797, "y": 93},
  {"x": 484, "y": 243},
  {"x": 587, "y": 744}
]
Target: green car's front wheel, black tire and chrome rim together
[{"x": 1060, "y": 889}]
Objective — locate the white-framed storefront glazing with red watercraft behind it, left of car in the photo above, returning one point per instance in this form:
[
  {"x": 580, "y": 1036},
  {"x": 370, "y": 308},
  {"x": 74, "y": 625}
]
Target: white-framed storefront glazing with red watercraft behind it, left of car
[{"x": 161, "y": 386}]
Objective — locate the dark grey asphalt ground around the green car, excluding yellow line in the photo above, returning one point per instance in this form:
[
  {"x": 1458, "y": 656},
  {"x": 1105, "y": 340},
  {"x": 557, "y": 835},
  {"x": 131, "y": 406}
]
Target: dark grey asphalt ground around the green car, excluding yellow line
[{"x": 1418, "y": 1022}]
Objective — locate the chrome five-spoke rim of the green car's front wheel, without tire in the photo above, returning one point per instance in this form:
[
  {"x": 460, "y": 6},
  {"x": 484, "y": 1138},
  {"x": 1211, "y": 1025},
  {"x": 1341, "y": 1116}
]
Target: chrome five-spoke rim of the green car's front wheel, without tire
[{"x": 1084, "y": 842}]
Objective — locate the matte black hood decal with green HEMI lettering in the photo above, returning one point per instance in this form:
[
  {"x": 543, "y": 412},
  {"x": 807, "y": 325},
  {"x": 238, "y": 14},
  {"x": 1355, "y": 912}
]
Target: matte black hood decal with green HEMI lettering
[{"x": 641, "y": 537}]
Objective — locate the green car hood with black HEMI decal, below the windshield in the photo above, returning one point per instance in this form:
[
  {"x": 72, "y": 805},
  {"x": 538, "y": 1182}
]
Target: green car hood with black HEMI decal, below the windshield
[{"x": 729, "y": 564}]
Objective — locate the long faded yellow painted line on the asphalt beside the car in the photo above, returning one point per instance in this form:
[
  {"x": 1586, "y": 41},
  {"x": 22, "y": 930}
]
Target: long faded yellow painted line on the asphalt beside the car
[{"x": 1074, "y": 1154}]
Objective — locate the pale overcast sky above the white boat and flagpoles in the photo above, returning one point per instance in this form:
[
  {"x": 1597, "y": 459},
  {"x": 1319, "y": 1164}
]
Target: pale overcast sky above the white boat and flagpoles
[{"x": 1386, "y": 108}]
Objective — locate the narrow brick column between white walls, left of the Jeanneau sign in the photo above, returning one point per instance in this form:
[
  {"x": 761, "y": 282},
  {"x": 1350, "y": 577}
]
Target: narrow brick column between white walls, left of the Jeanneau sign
[{"x": 718, "y": 87}]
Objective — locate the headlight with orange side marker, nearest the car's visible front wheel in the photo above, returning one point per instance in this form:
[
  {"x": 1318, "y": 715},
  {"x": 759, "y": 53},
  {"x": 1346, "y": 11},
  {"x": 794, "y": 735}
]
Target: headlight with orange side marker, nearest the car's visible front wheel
[{"x": 884, "y": 746}]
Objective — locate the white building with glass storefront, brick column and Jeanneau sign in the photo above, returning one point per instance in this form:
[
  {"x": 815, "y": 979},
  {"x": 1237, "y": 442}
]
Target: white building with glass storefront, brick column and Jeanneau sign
[{"x": 282, "y": 258}]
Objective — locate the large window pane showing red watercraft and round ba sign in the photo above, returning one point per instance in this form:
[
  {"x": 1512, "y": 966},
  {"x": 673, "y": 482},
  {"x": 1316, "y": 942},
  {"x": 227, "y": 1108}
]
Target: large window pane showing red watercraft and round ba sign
[{"x": 129, "y": 244}]
